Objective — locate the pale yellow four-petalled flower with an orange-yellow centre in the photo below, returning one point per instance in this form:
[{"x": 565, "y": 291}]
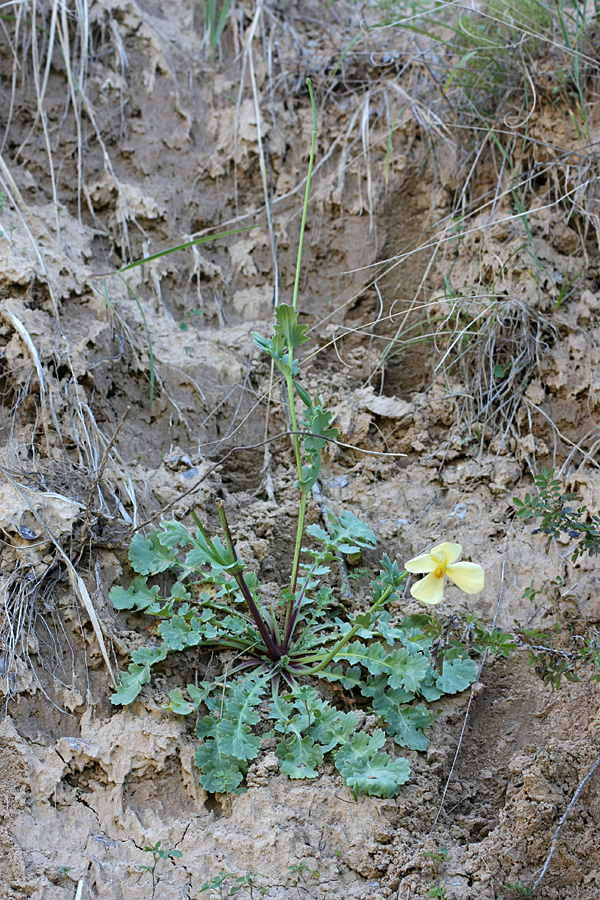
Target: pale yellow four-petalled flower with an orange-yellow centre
[{"x": 439, "y": 562}]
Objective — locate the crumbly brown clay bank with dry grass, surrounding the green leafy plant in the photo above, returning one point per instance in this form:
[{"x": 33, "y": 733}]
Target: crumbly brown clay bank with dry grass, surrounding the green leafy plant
[{"x": 451, "y": 285}]
